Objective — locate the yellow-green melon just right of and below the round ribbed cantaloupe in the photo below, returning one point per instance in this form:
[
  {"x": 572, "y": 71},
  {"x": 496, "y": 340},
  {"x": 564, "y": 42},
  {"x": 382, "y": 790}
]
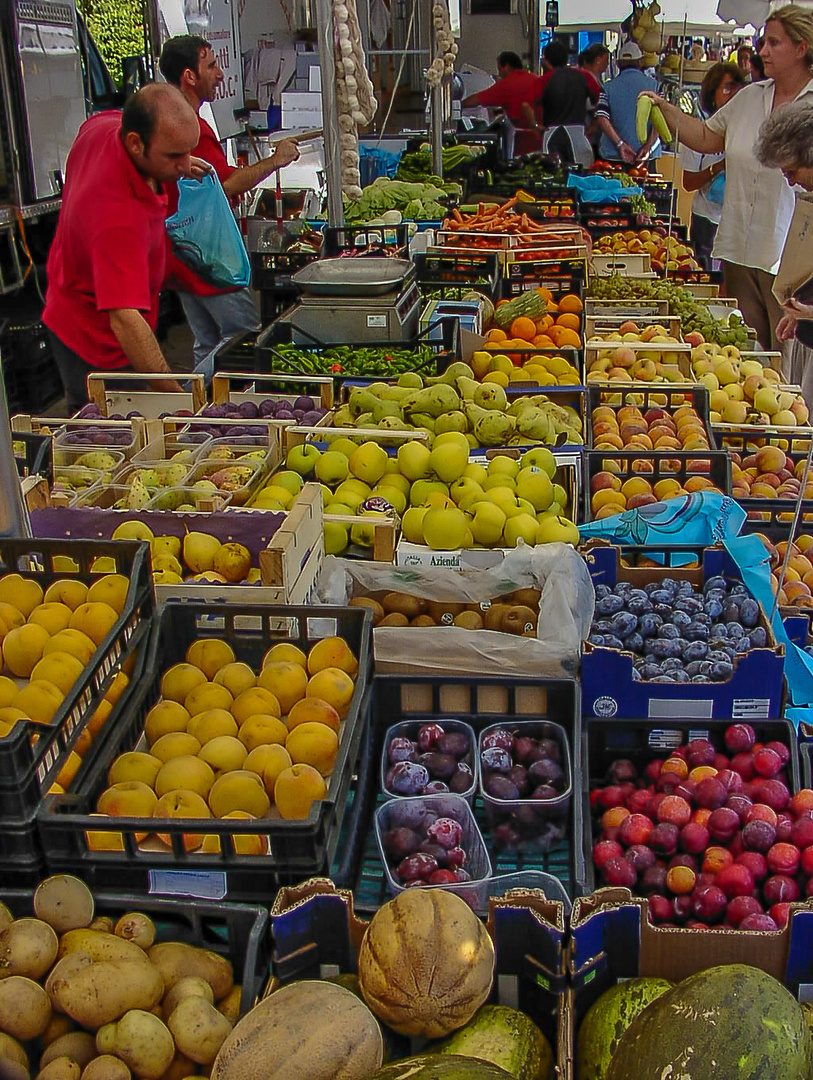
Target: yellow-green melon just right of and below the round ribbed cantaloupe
[{"x": 505, "y": 1037}]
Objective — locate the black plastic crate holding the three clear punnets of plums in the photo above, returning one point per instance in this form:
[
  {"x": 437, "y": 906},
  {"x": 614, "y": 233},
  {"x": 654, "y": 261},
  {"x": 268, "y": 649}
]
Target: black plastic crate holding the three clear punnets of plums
[{"x": 479, "y": 703}]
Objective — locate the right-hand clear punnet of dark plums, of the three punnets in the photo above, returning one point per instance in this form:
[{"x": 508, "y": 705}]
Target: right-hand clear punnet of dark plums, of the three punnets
[{"x": 522, "y": 776}]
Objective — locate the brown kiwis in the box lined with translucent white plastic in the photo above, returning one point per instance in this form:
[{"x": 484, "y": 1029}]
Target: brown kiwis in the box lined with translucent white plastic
[{"x": 517, "y": 613}]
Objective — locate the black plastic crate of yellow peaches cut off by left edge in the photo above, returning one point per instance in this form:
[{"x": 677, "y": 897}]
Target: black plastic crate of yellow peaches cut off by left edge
[{"x": 28, "y": 769}]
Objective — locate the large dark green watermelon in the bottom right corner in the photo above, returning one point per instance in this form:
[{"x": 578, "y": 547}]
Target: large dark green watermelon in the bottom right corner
[{"x": 728, "y": 1023}]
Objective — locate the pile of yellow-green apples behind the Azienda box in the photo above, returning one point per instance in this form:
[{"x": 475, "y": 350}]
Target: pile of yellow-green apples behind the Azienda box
[{"x": 444, "y": 501}]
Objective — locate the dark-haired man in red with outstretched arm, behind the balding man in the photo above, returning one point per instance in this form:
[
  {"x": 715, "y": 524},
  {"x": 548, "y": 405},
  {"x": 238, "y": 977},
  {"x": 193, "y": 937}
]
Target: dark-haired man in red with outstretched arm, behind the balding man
[{"x": 215, "y": 315}]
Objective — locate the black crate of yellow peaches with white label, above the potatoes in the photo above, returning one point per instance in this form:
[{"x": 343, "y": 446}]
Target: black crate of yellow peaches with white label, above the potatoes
[{"x": 297, "y": 848}]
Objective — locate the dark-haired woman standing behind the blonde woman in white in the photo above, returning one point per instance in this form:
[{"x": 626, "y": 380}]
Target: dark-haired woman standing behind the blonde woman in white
[{"x": 701, "y": 170}]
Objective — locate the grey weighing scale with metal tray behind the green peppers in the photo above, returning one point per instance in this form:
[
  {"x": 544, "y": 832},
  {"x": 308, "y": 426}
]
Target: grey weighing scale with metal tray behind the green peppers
[{"x": 358, "y": 300}]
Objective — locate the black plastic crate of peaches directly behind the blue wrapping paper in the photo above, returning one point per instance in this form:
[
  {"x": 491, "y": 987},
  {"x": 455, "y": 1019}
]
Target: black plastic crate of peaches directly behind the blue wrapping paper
[{"x": 667, "y": 465}]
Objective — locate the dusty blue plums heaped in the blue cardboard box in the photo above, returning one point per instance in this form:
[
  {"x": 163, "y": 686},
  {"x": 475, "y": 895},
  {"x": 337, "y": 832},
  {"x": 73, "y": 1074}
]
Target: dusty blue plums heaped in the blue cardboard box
[{"x": 677, "y": 633}]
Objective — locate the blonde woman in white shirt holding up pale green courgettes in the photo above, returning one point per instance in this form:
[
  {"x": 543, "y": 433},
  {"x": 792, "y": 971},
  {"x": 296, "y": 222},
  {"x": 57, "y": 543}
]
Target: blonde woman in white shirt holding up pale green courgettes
[{"x": 758, "y": 204}]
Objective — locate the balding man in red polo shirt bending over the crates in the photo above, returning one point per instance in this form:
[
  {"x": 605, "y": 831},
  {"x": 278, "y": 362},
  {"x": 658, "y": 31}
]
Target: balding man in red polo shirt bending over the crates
[{"x": 109, "y": 259}]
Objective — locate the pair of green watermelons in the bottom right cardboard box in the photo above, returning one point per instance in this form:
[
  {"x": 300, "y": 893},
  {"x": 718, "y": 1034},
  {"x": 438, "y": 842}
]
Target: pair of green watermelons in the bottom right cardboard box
[{"x": 646, "y": 1027}]
